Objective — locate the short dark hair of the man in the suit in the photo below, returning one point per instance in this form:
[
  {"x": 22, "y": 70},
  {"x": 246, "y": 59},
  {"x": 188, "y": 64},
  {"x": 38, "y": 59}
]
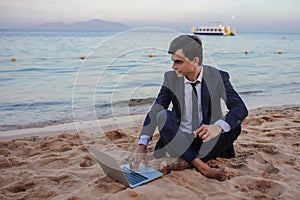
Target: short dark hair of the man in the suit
[{"x": 191, "y": 47}]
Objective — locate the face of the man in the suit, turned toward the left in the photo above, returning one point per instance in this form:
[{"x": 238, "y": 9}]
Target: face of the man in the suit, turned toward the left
[{"x": 181, "y": 64}]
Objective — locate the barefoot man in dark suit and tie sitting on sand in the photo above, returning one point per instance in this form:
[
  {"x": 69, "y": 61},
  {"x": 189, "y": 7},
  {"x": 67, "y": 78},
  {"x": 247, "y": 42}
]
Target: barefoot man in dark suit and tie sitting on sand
[{"x": 195, "y": 128}]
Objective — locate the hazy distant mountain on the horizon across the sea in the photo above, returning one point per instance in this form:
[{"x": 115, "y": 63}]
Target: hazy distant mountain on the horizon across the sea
[{"x": 94, "y": 24}]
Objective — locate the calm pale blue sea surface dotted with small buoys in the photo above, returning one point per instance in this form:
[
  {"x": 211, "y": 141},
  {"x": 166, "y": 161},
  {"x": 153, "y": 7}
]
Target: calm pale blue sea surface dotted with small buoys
[{"x": 122, "y": 72}]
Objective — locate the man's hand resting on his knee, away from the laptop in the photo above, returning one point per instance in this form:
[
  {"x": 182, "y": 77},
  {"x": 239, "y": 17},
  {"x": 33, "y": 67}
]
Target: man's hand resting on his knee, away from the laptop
[{"x": 207, "y": 132}]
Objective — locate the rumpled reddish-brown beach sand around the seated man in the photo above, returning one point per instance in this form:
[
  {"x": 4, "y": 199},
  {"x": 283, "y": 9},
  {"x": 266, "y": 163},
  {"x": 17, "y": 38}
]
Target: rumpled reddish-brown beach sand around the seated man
[{"x": 53, "y": 163}]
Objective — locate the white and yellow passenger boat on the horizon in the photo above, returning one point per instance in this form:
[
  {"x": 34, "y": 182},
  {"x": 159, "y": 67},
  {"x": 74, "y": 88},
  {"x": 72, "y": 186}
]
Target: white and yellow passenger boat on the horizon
[{"x": 219, "y": 29}]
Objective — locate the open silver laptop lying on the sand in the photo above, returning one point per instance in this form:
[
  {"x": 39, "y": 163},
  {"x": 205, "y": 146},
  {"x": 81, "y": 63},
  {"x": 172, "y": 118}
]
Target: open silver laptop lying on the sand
[{"x": 123, "y": 173}]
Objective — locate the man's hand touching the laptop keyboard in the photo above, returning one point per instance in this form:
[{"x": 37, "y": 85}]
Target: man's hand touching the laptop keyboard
[{"x": 139, "y": 156}]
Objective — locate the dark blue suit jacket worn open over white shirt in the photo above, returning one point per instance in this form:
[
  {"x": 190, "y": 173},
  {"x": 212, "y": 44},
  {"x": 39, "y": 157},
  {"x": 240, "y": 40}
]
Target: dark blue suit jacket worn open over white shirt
[{"x": 215, "y": 86}]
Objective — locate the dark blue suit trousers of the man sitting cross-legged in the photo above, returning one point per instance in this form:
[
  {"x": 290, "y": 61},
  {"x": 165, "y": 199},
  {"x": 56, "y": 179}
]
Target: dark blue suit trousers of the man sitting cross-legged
[{"x": 184, "y": 145}]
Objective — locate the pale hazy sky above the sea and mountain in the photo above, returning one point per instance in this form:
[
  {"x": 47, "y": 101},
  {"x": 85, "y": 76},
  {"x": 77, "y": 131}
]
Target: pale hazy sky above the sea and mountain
[{"x": 181, "y": 15}]
